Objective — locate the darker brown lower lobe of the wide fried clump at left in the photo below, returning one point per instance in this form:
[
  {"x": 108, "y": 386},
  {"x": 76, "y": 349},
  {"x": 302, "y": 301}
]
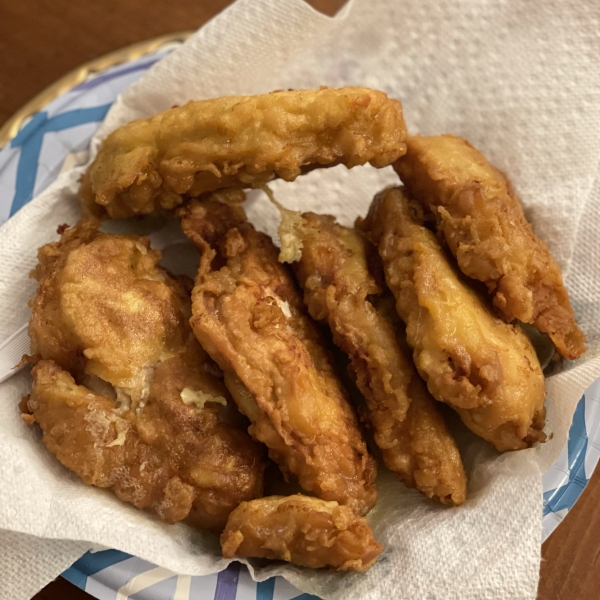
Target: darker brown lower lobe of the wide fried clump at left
[{"x": 173, "y": 459}]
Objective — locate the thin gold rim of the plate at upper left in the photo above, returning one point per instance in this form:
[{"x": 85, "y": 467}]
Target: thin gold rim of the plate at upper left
[{"x": 10, "y": 129}]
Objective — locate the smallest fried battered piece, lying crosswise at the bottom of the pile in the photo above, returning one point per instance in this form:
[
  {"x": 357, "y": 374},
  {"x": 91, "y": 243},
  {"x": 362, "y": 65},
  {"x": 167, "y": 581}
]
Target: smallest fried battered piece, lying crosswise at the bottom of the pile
[{"x": 305, "y": 531}]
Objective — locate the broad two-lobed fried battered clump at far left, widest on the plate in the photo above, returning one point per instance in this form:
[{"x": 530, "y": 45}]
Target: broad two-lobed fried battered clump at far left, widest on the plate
[{"x": 125, "y": 396}]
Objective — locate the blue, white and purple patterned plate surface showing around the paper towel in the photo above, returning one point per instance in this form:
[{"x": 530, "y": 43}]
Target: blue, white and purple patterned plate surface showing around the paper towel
[{"x": 57, "y": 138}]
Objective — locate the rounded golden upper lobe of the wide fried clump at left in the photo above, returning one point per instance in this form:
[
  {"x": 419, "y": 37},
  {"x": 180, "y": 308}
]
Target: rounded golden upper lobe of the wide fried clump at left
[{"x": 103, "y": 306}]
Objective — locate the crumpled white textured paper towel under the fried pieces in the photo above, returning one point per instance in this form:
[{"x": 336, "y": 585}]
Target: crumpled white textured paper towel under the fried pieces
[{"x": 520, "y": 81}]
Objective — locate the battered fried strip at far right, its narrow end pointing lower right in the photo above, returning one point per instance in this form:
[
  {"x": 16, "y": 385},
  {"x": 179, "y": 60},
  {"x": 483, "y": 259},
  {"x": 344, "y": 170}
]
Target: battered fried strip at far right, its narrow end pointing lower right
[{"x": 484, "y": 226}]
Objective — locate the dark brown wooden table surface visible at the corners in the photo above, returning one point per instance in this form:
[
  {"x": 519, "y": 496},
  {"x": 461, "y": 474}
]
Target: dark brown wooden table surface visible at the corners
[{"x": 41, "y": 40}]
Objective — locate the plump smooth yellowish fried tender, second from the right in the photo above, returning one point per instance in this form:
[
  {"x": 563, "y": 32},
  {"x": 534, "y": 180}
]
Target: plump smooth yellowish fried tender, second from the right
[{"x": 484, "y": 368}]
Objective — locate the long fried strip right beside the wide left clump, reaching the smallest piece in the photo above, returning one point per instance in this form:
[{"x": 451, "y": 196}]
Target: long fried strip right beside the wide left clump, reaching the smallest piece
[{"x": 248, "y": 314}]
